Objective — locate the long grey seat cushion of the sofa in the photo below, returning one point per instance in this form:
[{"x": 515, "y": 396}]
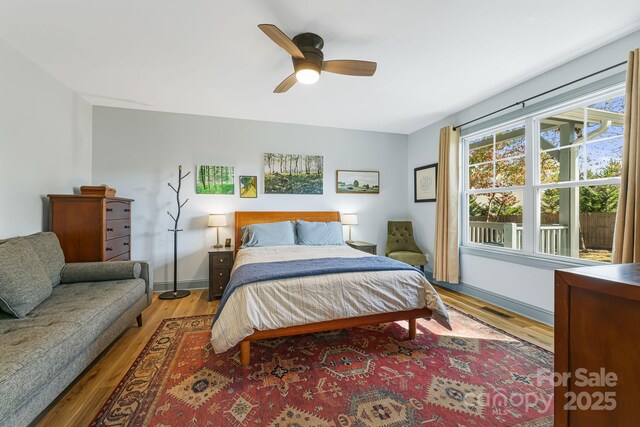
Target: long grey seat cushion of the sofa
[{"x": 36, "y": 348}]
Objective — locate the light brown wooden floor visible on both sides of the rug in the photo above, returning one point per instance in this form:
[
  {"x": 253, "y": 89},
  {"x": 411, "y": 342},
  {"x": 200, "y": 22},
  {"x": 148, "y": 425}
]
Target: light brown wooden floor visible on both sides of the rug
[{"x": 79, "y": 404}]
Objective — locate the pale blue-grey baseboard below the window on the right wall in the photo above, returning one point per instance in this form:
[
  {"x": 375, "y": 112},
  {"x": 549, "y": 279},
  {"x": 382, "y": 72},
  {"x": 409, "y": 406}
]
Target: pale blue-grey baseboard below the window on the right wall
[{"x": 522, "y": 308}]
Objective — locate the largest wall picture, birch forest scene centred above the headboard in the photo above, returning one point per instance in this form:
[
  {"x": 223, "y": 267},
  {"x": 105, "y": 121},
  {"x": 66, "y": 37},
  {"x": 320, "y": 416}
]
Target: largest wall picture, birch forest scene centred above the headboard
[{"x": 293, "y": 174}]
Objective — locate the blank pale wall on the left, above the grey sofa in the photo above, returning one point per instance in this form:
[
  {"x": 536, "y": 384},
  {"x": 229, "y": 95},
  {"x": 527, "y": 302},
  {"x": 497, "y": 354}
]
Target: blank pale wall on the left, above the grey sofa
[{"x": 45, "y": 142}]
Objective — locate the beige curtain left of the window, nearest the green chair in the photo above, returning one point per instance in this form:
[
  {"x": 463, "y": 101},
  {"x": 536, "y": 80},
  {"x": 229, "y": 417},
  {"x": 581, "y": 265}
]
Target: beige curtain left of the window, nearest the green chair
[{"x": 446, "y": 263}]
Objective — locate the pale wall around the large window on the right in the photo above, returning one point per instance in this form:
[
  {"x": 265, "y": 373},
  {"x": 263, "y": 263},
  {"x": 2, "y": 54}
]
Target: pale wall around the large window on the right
[{"x": 533, "y": 286}]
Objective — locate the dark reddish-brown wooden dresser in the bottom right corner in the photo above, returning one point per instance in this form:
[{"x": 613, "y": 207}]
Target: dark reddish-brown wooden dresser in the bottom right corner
[{"x": 597, "y": 326}]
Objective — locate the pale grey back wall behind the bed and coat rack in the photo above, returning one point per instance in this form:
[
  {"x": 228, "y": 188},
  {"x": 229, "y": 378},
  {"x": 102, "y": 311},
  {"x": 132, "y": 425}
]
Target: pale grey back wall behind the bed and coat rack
[{"x": 138, "y": 152}]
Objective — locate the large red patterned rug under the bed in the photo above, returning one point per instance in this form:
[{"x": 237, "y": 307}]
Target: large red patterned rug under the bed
[{"x": 474, "y": 376}]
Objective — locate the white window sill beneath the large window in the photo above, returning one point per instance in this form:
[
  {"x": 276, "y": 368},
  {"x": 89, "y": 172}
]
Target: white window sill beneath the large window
[{"x": 529, "y": 260}]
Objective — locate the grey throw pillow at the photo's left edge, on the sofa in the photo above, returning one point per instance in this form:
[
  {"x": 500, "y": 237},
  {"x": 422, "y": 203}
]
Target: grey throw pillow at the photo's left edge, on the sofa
[{"x": 24, "y": 284}]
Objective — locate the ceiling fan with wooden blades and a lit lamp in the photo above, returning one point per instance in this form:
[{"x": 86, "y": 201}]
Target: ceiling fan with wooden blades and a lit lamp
[{"x": 308, "y": 61}]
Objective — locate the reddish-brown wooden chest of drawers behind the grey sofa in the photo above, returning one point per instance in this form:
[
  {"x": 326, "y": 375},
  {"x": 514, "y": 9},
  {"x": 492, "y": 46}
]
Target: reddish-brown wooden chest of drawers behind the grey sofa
[{"x": 91, "y": 227}]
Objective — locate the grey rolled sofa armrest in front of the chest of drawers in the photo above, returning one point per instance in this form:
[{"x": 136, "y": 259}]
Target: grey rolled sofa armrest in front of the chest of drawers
[{"x": 100, "y": 271}]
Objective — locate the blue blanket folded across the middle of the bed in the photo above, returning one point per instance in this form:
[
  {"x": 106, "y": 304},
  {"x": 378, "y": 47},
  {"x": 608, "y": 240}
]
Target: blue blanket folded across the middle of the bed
[{"x": 263, "y": 271}]
